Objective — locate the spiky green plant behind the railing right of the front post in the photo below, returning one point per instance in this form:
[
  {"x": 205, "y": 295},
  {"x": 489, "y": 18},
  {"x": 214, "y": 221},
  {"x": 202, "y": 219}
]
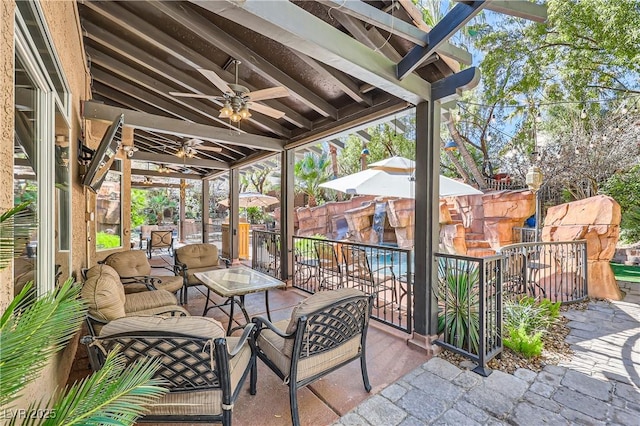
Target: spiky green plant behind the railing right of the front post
[{"x": 459, "y": 303}]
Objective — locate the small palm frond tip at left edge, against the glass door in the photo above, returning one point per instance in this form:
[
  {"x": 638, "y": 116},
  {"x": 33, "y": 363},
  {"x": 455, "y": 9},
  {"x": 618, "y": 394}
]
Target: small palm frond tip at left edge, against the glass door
[{"x": 16, "y": 225}]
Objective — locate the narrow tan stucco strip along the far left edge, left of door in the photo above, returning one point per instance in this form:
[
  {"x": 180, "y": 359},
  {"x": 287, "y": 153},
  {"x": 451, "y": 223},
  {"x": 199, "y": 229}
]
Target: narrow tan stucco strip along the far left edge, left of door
[{"x": 6, "y": 132}]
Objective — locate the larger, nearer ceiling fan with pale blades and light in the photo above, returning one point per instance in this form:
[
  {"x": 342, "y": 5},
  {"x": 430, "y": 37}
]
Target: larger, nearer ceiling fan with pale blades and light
[{"x": 237, "y": 99}]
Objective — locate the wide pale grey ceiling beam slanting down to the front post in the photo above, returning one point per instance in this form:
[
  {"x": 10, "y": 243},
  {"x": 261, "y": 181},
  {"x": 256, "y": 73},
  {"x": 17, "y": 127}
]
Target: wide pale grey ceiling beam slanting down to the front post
[{"x": 299, "y": 30}]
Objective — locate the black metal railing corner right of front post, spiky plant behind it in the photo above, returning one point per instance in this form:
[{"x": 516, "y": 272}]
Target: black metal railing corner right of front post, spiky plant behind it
[{"x": 469, "y": 298}]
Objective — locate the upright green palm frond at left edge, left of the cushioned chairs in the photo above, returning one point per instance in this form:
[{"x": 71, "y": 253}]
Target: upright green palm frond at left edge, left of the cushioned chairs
[{"x": 31, "y": 332}]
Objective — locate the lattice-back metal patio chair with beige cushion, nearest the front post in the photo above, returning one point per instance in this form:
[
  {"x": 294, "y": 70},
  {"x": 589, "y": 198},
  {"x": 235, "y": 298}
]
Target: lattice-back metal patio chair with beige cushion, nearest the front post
[{"x": 326, "y": 331}]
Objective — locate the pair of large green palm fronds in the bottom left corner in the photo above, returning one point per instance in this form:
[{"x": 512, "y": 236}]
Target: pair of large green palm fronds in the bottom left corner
[{"x": 32, "y": 331}]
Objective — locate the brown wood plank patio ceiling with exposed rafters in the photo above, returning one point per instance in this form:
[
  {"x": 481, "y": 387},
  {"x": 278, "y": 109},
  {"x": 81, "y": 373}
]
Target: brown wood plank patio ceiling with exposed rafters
[{"x": 141, "y": 51}]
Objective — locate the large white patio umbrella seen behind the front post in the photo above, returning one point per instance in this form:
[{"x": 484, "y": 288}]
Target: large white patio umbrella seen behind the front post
[{"x": 393, "y": 177}]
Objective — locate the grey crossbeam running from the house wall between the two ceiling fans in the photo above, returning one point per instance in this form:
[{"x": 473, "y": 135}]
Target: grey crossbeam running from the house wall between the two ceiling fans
[{"x": 140, "y": 120}]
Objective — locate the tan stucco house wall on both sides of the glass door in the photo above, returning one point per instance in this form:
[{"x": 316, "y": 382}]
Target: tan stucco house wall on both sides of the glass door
[{"x": 63, "y": 23}]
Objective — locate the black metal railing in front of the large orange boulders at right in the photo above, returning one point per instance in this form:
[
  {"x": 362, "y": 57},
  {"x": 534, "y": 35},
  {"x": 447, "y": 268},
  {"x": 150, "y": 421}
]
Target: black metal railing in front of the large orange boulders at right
[{"x": 556, "y": 271}]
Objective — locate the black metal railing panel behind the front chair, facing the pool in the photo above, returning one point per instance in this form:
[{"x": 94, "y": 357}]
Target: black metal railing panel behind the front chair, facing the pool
[{"x": 386, "y": 272}]
